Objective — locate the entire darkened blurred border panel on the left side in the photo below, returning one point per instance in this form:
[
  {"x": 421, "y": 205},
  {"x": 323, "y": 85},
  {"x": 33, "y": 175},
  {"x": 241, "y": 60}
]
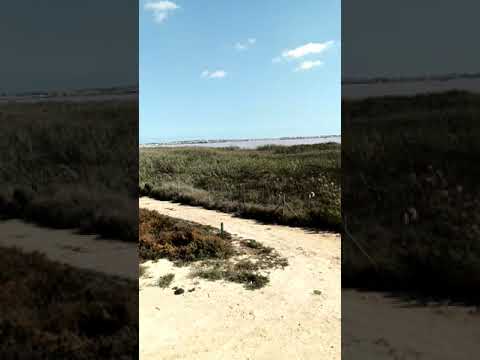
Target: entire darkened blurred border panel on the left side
[{"x": 69, "y": 179}]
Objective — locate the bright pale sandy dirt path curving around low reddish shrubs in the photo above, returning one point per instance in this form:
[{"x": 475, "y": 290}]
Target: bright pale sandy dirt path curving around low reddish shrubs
[{"x": 219, "y": 320}]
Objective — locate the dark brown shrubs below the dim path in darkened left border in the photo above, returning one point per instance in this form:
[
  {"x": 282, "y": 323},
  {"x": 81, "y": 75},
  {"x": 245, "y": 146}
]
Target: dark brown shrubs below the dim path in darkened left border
[{"x": 52, "y": 311}]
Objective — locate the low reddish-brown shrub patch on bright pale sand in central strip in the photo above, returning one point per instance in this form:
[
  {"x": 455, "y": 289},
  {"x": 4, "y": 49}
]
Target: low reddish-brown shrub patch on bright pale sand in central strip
[{"x": 213, "y": 255}]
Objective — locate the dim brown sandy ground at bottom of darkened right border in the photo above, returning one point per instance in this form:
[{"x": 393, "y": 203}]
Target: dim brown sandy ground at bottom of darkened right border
[{"x": 376, "y": 326}]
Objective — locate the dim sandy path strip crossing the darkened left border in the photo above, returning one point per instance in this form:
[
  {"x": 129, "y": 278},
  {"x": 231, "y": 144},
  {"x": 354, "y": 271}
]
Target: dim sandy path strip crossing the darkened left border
[{"x": 84, "y": 251}]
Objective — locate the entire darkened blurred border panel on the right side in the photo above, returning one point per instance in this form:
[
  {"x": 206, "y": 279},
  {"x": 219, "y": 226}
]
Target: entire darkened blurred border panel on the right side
[{"x": 410, "y": 130}]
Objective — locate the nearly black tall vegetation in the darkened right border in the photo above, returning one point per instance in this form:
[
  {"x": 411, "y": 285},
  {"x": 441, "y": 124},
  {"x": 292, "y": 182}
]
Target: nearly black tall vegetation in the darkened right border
[{"x": 411, "y": 195}]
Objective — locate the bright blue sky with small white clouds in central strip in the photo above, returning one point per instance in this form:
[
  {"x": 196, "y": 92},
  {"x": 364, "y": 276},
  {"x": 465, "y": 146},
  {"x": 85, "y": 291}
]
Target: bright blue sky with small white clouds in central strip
[{"x": 239, "y": 69}]
